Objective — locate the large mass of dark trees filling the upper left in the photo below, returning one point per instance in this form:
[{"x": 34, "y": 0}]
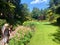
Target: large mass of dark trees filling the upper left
[{"x": 13, "y": 11}]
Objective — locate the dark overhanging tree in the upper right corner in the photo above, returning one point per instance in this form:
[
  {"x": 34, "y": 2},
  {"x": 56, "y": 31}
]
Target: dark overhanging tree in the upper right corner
[{"x": 55, "y": 7}]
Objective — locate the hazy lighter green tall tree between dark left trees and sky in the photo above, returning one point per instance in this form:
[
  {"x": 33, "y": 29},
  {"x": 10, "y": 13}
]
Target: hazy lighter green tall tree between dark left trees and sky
[{"x": 24, "y": 11}]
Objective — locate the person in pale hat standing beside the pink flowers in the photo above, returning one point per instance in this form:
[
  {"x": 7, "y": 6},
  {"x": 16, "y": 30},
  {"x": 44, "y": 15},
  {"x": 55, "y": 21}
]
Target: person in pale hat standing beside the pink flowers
[{"x": 6, "y": 30}]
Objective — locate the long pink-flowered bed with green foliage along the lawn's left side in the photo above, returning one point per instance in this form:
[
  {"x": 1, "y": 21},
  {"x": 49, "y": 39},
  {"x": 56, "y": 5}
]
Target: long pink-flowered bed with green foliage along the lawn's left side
[{"x": 23, "y": 35}]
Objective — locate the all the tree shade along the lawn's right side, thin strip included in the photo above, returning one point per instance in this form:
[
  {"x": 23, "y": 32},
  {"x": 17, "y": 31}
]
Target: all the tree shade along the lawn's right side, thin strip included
[{"x": 56, "y": 35}]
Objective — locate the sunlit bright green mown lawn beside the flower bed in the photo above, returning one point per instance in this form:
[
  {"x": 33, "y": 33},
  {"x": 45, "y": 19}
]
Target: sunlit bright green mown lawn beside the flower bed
[{"x": 43, "y": 34}]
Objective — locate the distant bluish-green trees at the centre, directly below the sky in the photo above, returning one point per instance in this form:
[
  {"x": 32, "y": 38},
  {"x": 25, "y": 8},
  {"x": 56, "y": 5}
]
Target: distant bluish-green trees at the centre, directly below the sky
[{"x": 38, "y": 14}]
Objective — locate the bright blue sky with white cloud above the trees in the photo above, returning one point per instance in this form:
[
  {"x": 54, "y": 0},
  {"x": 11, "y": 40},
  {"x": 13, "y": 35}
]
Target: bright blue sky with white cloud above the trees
[{"x": 41, "y": 4}]
